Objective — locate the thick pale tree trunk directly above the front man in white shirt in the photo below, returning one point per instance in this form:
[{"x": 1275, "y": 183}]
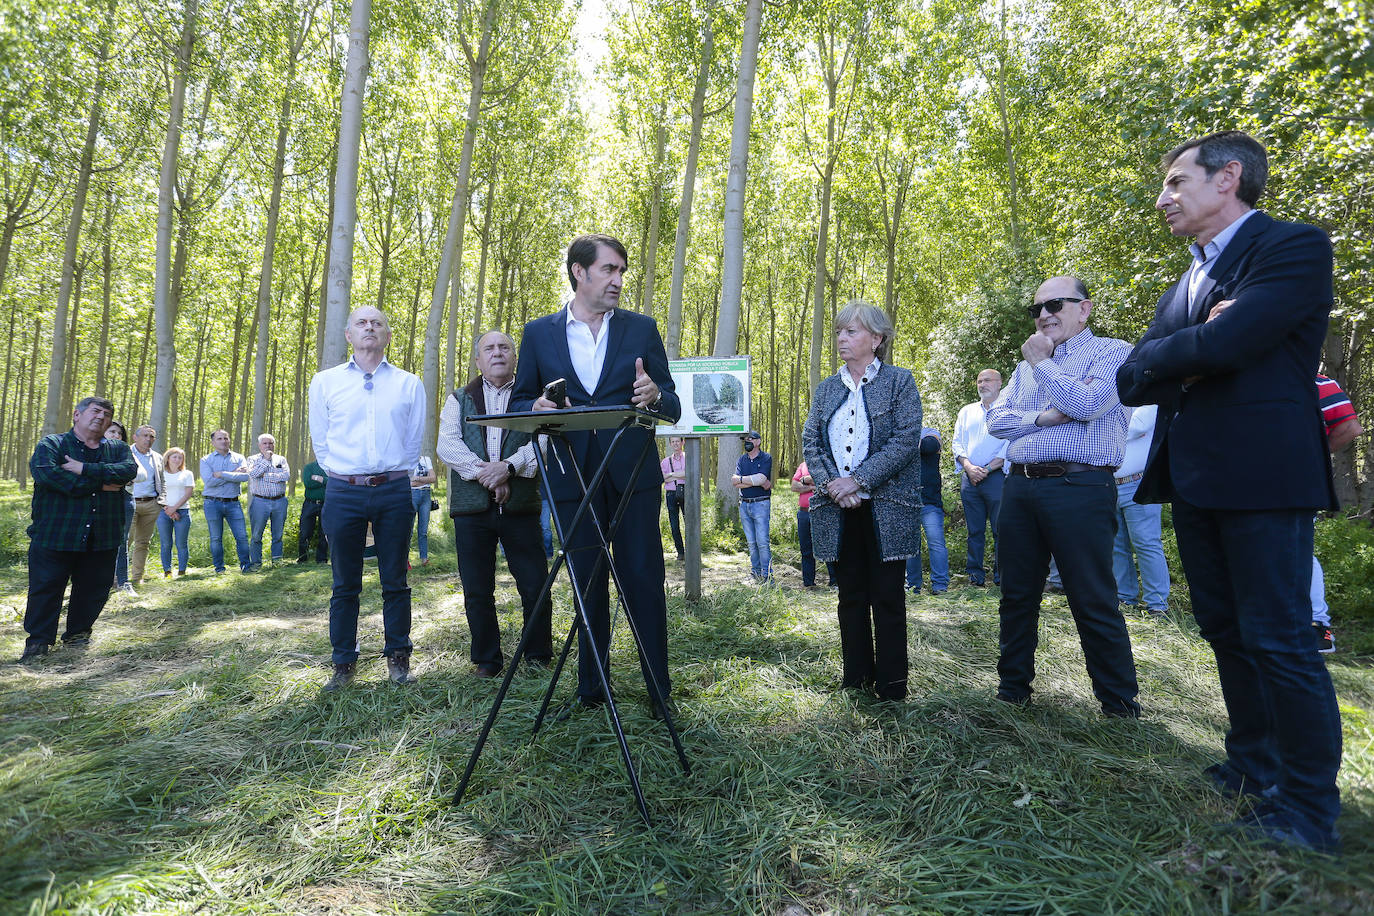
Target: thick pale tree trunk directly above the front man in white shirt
[{"x": 346, "y": 186}]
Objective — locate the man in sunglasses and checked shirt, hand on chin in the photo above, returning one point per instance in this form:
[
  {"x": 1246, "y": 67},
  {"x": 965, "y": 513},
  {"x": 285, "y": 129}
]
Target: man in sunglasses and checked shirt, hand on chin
[{"x": 1066, "y": 432}]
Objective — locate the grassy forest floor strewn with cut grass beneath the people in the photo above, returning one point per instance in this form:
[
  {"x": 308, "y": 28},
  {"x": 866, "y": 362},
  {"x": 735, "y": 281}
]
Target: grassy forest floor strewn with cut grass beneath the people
[{"x": 189, "y": 763}]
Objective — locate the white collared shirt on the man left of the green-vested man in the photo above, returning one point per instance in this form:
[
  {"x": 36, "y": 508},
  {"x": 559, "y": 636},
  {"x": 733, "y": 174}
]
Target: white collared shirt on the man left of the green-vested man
[{"x": 368, "y": 422}]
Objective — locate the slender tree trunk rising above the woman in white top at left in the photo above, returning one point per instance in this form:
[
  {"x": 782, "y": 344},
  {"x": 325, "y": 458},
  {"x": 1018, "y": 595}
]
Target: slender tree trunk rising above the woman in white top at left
[{"x": 164, "y": 307}]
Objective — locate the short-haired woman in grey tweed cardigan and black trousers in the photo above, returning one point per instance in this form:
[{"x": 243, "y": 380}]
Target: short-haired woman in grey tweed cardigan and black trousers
[{"x": 862, "y": 446}]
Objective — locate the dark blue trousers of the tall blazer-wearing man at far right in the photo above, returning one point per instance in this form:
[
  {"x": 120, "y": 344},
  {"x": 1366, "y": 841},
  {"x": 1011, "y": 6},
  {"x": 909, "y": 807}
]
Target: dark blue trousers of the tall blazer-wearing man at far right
[{"x": 1250, "y": 575}]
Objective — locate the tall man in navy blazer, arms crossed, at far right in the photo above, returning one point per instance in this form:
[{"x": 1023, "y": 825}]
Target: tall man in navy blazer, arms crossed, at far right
[{"x": 1239, "y": 450}]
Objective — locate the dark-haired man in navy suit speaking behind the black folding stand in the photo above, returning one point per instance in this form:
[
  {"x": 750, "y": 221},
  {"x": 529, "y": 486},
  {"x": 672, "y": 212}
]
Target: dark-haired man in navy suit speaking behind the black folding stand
[{"x": 609, "y": 358}]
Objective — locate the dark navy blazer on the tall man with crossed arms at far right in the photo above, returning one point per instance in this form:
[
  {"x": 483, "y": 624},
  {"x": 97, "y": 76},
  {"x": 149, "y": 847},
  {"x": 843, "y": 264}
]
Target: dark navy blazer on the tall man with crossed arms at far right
[{"x": 1248, "y": 435}]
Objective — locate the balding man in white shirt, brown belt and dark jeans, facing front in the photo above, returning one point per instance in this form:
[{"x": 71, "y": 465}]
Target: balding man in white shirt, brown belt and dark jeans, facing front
[{"x": 368, "y": 420}]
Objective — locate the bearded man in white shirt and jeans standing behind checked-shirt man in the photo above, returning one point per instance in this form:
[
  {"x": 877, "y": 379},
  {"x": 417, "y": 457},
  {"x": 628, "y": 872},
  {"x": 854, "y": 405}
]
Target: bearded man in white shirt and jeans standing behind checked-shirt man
[{"x": 980, "y": 459}]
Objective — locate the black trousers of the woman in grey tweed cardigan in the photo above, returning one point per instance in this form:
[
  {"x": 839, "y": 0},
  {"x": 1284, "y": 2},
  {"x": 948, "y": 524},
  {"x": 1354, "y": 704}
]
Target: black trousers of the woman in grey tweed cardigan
[{"x": 872, "y": 609}]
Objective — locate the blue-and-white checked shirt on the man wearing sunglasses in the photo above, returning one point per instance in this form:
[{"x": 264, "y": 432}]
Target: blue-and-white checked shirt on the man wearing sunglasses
[{"x": 1081, "y": 381}]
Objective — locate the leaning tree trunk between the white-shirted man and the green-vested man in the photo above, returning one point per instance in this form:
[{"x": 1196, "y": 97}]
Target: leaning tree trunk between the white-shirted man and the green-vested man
[{"x": 451, "y": 260}]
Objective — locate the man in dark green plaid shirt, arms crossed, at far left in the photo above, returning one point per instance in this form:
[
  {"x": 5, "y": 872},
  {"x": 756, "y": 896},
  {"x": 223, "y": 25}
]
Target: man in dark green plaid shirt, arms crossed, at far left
[{"x": 78, "y": 525}]
